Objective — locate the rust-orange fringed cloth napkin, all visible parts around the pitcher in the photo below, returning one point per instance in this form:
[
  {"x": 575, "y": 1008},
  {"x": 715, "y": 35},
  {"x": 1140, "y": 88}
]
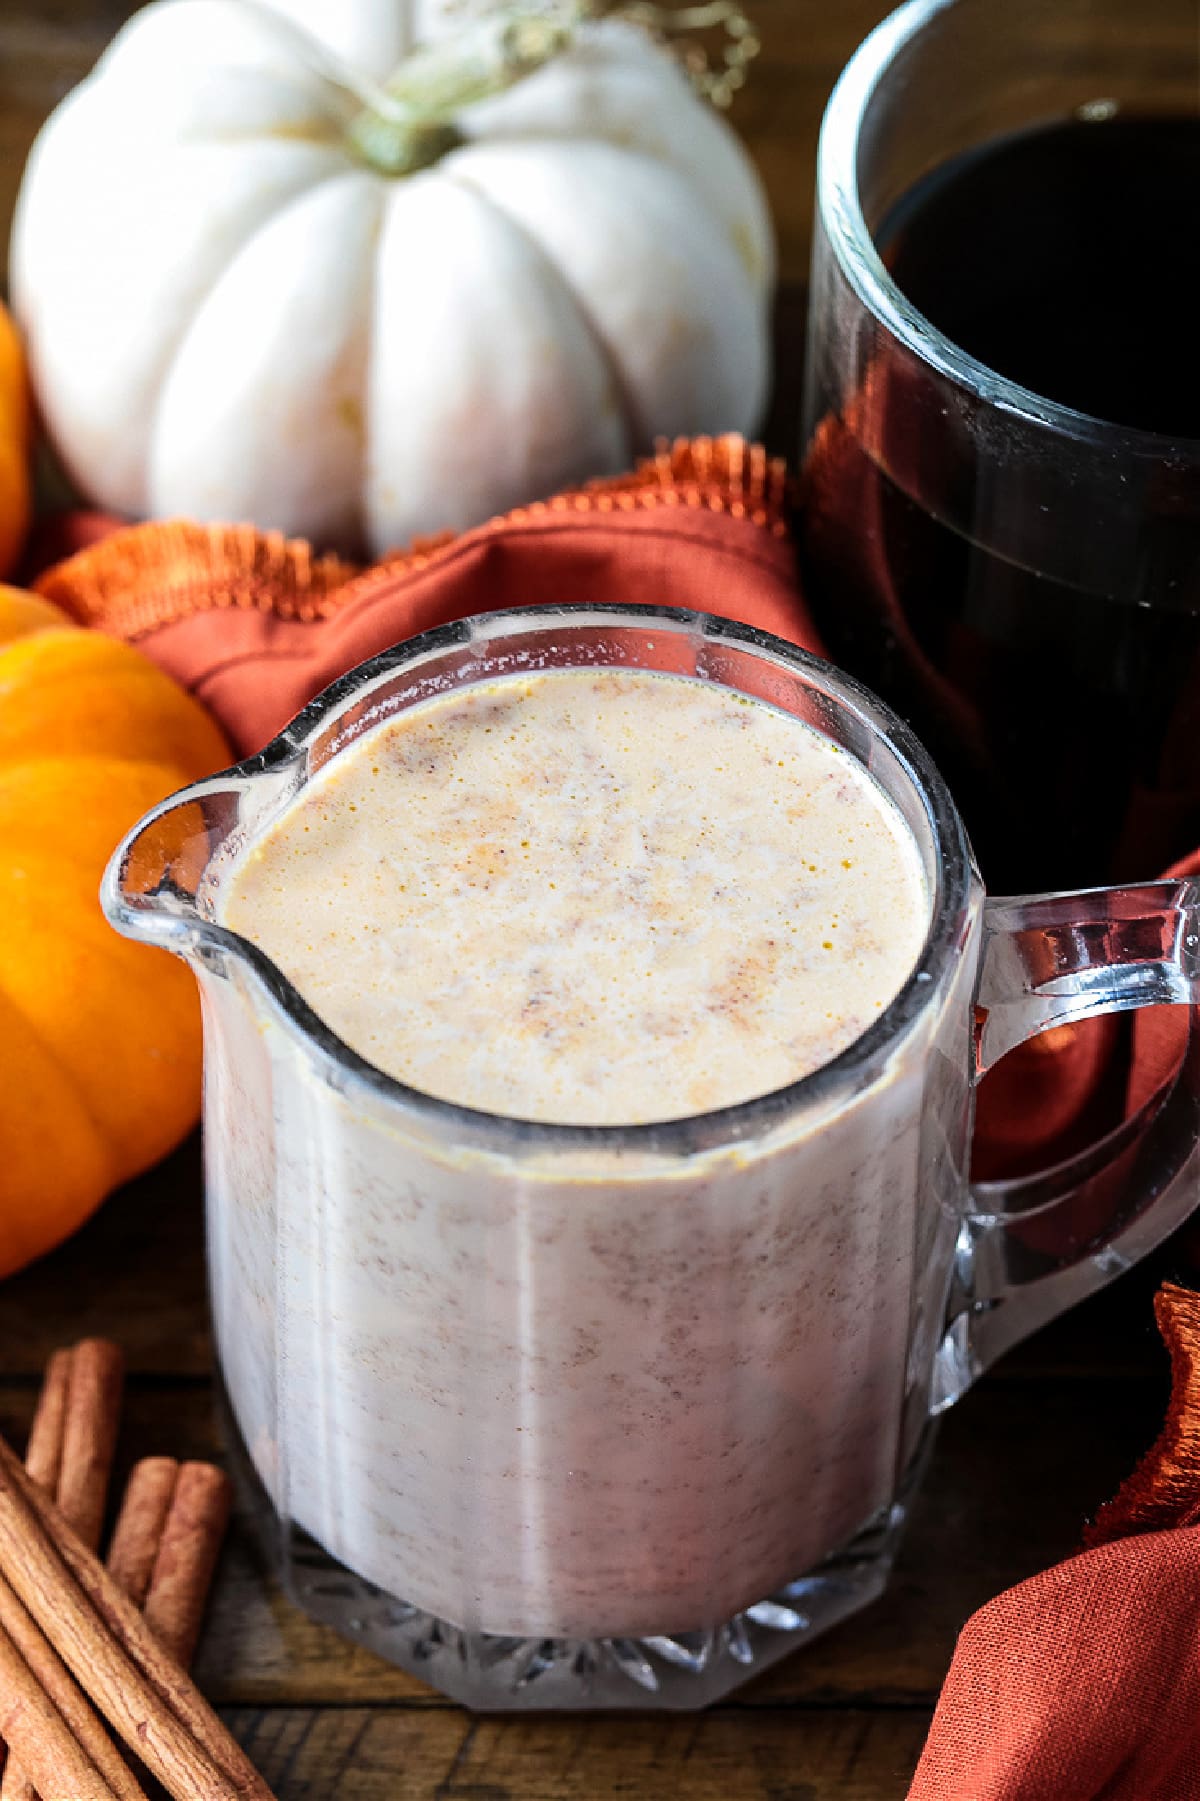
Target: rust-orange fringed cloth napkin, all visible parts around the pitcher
[{"x": 1039, "y": 1703}]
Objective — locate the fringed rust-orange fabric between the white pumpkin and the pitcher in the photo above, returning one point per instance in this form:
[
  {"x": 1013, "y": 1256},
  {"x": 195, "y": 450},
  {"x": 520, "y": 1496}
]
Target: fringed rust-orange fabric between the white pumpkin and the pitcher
[{"x": 257, "y": 626}]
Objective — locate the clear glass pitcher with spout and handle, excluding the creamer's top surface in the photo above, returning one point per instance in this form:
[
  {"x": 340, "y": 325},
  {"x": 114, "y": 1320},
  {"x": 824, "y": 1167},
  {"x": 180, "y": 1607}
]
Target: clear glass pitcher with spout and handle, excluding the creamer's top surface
[{"x": 617, "y": 1416}]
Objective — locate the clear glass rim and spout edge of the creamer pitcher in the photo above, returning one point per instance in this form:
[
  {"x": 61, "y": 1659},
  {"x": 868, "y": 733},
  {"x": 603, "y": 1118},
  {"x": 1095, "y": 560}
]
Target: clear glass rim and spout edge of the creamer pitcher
[{"x": 686, "y": 1136}]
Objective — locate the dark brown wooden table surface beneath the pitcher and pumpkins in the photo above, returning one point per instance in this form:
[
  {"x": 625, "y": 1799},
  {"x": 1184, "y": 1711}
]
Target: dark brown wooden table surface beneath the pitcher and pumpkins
[{"x": 1024, "y": 1460}]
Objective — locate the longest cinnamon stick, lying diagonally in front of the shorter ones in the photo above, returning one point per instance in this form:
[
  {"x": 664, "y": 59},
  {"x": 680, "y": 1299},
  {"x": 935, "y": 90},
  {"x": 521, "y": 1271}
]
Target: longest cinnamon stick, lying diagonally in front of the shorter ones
[{"x": 113, "y": 1652}]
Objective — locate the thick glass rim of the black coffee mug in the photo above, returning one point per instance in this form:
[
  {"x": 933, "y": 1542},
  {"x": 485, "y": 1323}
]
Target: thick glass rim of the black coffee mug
[{"x": 841, "y": 212}]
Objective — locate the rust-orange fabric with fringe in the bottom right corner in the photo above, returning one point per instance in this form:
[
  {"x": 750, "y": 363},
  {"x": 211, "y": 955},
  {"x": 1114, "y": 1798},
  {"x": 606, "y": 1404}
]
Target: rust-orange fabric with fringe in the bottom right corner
[{"x": 1084, "y": 1683}]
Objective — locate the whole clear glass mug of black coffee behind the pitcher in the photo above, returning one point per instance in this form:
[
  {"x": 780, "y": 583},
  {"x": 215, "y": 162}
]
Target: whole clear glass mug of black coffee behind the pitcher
[{"x": 1017, "y": 575}]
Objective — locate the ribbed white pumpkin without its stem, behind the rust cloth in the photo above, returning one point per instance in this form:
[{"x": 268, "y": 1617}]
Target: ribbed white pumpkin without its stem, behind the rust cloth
[{"x": 232, "y": 316}]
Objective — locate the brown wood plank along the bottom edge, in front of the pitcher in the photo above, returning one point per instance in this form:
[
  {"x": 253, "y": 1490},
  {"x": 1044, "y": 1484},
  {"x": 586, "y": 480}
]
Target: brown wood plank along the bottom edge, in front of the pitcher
[{"x": 361, "y": 1755}]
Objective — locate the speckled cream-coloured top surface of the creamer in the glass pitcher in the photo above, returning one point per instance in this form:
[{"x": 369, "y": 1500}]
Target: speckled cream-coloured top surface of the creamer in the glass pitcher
[{"x": 590, "y": 898}]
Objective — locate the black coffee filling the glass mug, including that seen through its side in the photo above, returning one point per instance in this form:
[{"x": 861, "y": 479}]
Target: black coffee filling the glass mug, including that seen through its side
[{"x": 1064, "y": 705}]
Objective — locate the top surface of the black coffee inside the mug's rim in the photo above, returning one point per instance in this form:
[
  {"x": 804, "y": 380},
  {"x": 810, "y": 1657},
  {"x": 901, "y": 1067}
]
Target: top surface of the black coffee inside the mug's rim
[{"x": 1069, "y": 260}]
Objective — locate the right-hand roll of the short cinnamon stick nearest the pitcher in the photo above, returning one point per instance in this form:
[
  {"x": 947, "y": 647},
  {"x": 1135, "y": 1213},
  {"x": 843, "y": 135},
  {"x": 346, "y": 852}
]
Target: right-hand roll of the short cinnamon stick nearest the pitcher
[{"x": 188, "y": 1552}]
